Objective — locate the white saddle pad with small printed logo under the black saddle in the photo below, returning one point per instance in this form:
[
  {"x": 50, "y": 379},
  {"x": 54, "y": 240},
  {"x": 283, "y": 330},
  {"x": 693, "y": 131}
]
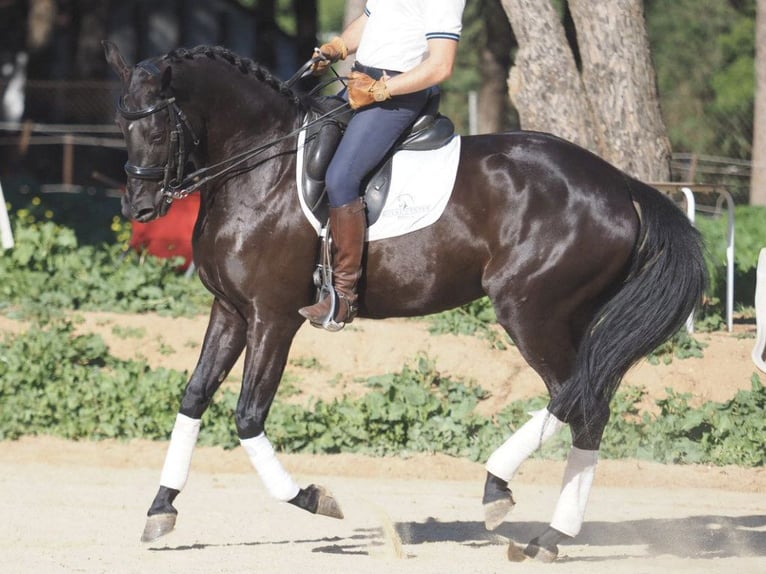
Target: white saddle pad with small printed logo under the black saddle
[{"x": 421, "y": 185}]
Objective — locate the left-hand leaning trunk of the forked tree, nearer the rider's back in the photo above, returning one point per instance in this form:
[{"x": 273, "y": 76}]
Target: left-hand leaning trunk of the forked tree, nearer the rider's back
[{"x": 544, "y": 84}]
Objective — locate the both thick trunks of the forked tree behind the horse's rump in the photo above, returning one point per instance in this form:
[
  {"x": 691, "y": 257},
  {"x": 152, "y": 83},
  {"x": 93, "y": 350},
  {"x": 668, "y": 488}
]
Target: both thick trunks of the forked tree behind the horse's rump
[{"x": 612, "y": 108}]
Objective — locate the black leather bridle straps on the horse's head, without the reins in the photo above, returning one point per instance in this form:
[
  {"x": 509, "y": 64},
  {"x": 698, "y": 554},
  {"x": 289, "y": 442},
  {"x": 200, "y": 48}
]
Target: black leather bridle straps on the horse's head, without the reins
[{"x": 180, "y": 125}]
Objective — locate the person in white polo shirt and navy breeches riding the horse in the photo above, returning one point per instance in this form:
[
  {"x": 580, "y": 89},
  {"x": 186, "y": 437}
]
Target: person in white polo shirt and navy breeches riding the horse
[{"x": 403, "y": 48}]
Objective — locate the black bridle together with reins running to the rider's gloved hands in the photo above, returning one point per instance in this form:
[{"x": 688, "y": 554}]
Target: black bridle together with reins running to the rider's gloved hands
[{"x": 180, "y": 185}]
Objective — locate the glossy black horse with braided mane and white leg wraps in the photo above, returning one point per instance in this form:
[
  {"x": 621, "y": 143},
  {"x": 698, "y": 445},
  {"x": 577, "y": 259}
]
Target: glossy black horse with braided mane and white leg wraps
[{"x": 588, "y": 269}]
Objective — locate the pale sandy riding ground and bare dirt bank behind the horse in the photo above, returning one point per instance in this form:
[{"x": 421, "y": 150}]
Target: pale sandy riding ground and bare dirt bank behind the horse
[{"x": 80, "y": 506}]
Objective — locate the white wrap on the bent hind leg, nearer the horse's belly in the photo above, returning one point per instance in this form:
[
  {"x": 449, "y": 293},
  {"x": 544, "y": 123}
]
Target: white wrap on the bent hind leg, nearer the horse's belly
[{"x": 506, "y": 460}]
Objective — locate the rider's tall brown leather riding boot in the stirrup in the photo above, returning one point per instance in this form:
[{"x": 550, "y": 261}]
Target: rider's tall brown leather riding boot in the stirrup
[{"x": 348, "y": 224}]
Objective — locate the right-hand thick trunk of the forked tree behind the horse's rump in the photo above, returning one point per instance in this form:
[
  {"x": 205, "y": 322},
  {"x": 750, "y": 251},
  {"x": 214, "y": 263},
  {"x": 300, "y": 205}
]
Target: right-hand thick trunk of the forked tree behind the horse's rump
[{"x": 619, "y": 78}]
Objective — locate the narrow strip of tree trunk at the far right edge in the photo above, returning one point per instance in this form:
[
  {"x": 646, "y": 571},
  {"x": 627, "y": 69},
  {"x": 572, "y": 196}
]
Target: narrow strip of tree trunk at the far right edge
[{"x": 758, "y": 174}]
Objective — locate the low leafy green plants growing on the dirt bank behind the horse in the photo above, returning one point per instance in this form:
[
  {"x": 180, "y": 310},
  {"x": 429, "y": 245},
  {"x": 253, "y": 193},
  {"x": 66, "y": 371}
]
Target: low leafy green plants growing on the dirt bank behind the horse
[{"x": 53, "y": 381}]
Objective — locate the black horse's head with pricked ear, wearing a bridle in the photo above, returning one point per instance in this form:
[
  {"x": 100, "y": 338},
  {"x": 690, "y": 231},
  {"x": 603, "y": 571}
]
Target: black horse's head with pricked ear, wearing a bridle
[{"x": 158, "y": 136}]
